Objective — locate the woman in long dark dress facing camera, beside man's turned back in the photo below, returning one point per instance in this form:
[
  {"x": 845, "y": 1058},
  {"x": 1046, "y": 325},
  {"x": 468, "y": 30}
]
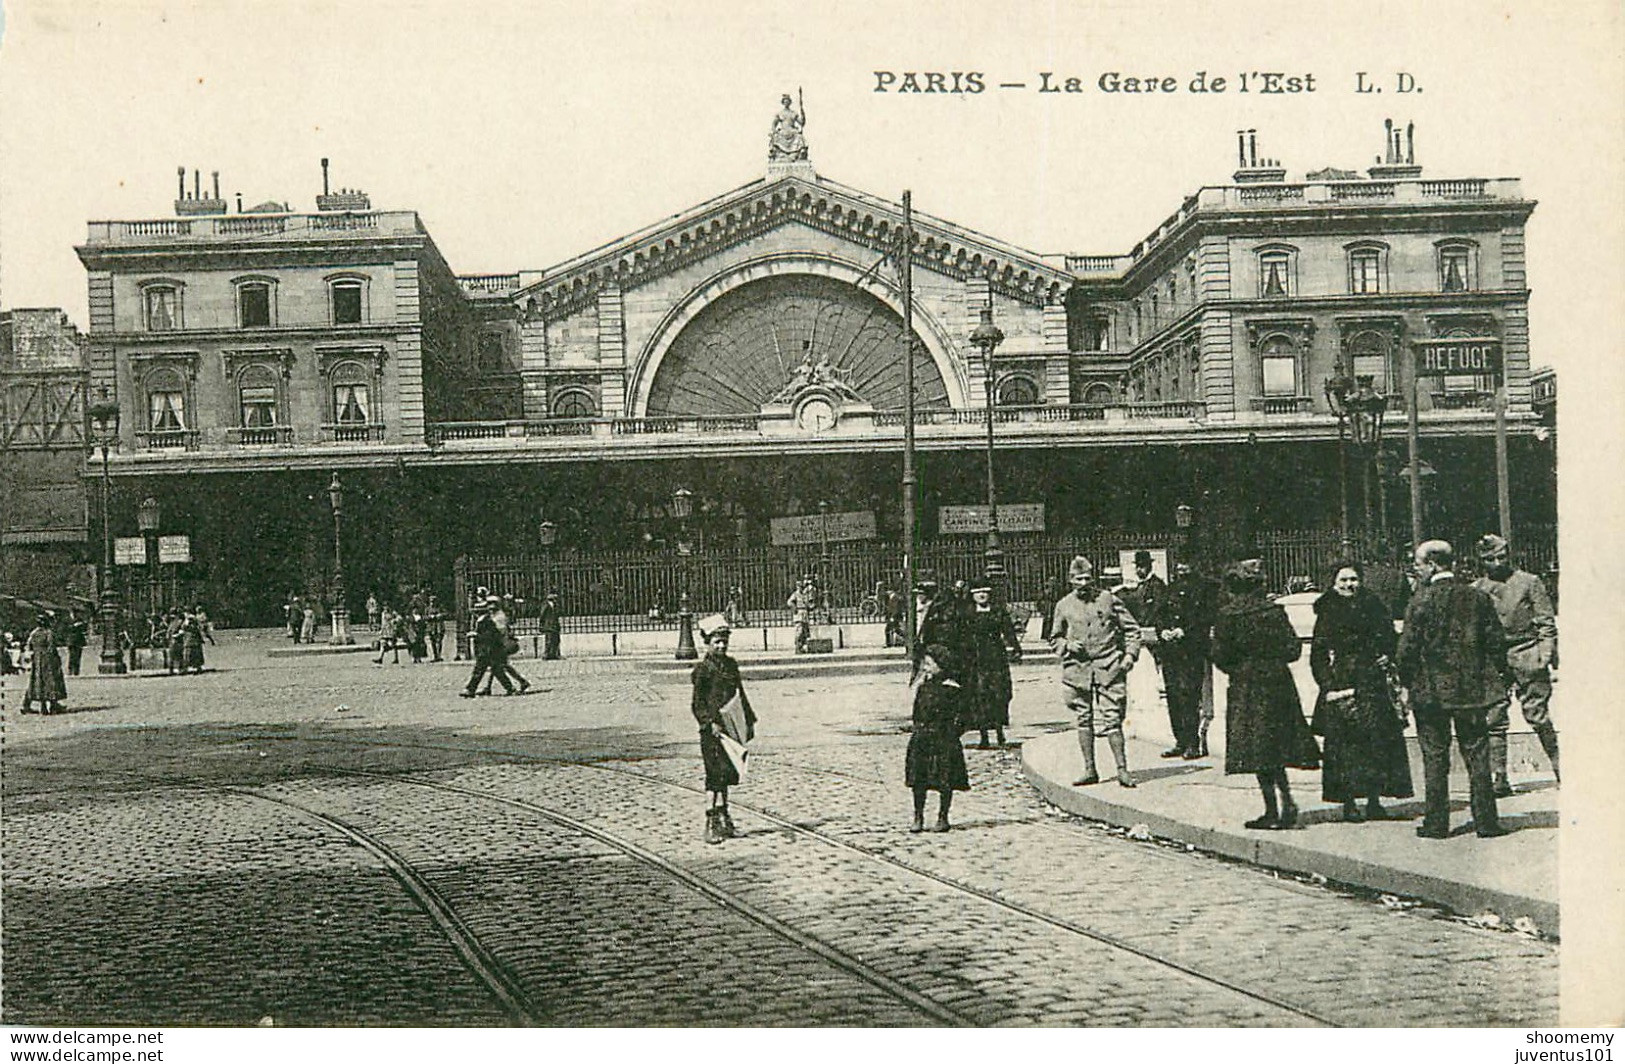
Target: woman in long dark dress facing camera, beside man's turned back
[{"x": 1366, "y": 737}]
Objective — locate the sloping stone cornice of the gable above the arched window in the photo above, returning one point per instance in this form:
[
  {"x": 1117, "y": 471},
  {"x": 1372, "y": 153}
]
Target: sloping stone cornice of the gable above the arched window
[{"x": 745, "y": 214}]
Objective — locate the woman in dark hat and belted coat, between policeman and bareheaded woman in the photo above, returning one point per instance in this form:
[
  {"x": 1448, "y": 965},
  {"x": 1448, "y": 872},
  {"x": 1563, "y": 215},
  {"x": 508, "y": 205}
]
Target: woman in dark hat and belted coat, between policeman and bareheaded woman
[{"x": 1265, "y": 730}]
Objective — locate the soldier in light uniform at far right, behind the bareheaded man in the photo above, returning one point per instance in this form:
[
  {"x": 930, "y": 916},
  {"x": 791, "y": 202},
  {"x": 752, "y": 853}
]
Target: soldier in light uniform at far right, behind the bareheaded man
[{"x": 1530, "y": 621}]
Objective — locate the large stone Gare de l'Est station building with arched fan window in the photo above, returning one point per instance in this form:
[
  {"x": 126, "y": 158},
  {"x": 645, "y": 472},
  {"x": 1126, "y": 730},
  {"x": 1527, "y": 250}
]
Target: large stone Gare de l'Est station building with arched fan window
[{"x": 750, "y": 350}]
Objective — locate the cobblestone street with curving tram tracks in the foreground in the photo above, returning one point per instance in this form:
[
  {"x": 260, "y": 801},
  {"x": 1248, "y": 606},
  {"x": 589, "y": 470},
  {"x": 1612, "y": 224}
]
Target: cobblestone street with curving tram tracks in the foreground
[{"x": 327, "y": 842}]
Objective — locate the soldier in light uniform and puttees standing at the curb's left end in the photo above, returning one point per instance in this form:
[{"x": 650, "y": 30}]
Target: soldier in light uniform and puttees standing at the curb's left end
[{"x": 1098, "y": 641}]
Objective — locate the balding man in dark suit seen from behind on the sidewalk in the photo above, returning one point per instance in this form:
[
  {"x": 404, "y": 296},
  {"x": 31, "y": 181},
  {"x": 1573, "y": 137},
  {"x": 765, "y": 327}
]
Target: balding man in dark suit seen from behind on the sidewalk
[{"x": 1454, "y": 659}]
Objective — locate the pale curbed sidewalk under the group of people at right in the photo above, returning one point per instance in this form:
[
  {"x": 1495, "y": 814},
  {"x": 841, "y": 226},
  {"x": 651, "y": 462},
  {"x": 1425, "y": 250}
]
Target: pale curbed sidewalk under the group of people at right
[{"x": 1195, "y": 803}]
